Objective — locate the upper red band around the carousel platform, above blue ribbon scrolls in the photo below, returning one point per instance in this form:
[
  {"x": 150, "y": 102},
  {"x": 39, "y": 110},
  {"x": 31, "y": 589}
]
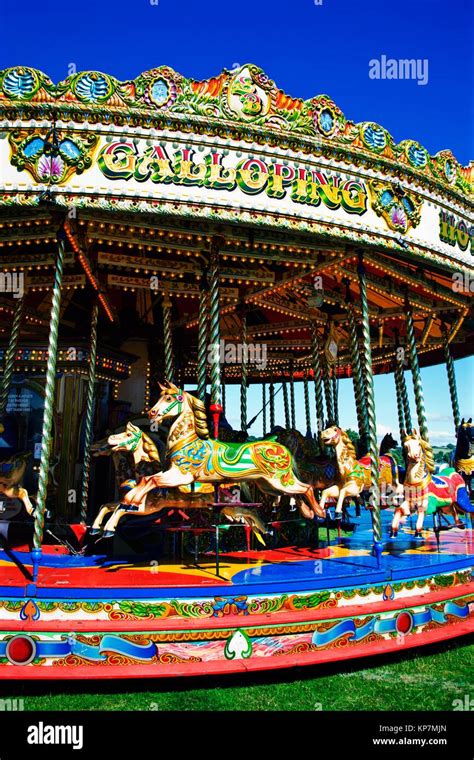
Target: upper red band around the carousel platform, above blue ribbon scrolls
[{"x": 238, "y": 621}]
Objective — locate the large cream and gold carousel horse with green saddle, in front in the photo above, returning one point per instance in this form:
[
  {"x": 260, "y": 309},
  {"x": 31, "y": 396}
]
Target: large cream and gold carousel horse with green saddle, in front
[{"x": 193, "y": 456}]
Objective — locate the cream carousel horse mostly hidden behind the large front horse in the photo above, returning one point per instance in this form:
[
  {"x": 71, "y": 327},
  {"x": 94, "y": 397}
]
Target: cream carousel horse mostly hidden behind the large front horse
[{"x": 145, "y": 453}]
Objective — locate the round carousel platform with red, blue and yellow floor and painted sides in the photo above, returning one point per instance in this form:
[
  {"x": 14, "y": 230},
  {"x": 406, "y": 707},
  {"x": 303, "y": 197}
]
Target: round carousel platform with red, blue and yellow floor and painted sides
[{"x": 109, "y": 617}]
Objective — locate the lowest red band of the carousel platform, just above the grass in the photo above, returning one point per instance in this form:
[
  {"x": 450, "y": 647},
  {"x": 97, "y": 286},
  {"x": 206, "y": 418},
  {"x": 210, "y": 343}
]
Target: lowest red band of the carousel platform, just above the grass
[{"x": 444, "y": 633}]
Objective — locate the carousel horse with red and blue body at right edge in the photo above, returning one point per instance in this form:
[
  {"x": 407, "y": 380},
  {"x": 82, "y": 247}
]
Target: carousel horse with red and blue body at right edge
[{"x": 428, "y": 493}]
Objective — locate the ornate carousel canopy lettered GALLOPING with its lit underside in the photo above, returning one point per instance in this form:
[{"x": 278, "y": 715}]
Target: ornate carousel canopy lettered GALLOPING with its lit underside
[{"x": 150, "y": 173}]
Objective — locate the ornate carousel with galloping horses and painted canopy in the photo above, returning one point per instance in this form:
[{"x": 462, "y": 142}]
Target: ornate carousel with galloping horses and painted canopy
[{"x": 162, "y": 240}]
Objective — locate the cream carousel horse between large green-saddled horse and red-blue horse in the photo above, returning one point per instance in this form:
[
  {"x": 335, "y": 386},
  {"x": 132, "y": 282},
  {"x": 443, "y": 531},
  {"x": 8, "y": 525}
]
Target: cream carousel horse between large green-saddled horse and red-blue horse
[{"x": 353, "y": 476}]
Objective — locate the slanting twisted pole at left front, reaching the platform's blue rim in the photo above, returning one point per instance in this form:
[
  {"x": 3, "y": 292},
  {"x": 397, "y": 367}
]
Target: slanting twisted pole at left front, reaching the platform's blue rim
[{"x": 48, "y": 413}]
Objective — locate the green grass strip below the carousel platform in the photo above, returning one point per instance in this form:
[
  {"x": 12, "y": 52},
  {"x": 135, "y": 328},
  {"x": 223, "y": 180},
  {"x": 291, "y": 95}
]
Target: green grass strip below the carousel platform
[{"x": 428, "y": 679}]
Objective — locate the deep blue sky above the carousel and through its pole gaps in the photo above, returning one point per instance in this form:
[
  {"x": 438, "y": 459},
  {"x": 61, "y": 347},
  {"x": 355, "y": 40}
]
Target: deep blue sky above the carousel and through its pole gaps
[{"x": 307, "y": 48}]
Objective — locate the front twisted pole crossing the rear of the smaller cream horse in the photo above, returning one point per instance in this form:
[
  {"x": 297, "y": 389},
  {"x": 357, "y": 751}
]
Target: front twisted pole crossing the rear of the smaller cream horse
[{"x": 370, "y": 396}]
